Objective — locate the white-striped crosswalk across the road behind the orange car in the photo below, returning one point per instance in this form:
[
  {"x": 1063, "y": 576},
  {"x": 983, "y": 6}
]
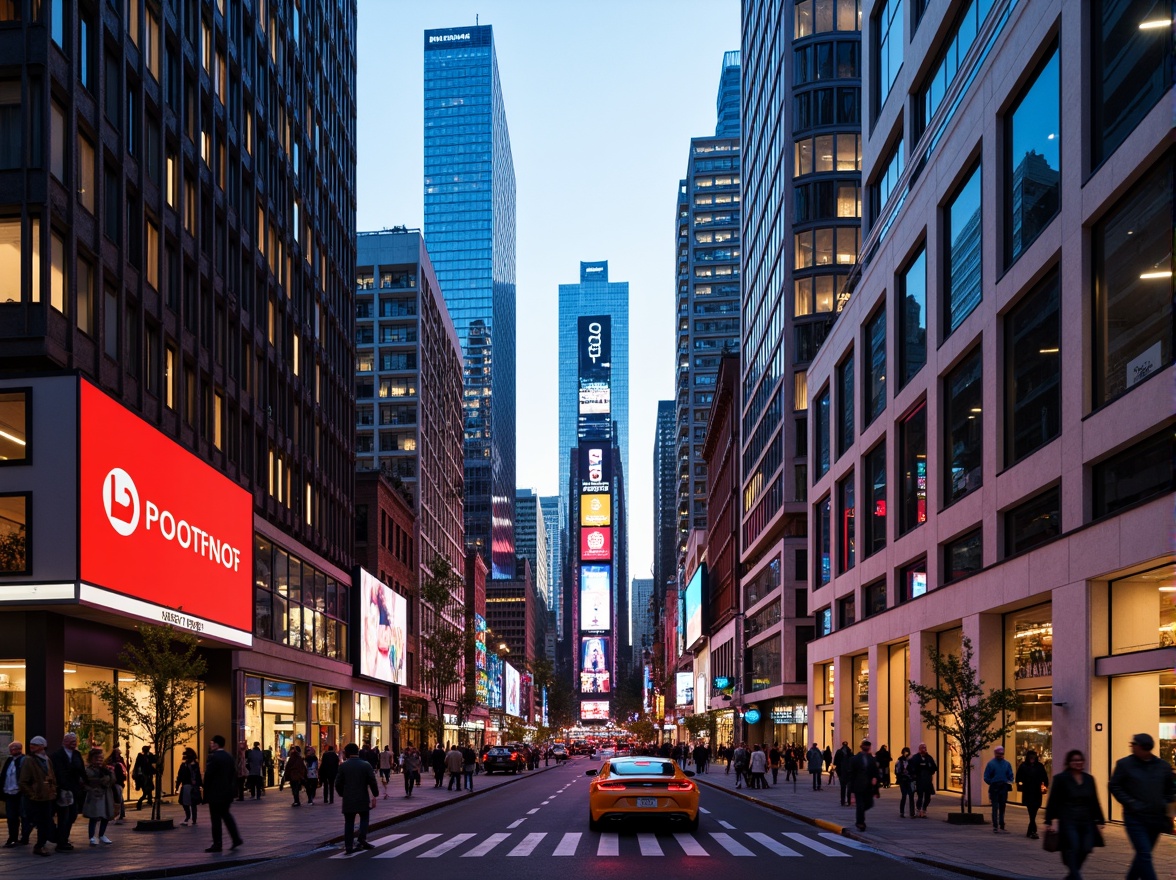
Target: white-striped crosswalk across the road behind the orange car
[{"x": 790, "y": 845}]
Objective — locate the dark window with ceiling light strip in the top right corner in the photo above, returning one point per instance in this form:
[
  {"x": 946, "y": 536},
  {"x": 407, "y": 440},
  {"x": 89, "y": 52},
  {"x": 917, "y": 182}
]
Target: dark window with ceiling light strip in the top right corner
[{"x": 1131, "y": 70}]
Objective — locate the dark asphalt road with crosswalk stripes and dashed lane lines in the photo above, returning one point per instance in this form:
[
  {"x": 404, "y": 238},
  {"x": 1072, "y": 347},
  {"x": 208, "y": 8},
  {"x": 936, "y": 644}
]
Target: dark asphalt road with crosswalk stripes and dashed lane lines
[{"x": 540, "y": 825}]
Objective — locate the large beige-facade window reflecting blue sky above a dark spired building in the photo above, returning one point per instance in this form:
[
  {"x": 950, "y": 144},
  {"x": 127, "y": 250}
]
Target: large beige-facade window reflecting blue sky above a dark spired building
[{"x": 1032, "y": 159}]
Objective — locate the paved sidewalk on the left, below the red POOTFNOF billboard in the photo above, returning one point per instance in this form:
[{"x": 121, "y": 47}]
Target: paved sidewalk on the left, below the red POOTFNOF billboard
[{"x": 271, "y": 829}]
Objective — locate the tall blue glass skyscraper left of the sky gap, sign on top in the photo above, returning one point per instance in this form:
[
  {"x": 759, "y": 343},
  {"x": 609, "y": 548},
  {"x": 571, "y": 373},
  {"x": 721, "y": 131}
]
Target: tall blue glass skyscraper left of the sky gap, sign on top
[{"x": 470, "y": 226}]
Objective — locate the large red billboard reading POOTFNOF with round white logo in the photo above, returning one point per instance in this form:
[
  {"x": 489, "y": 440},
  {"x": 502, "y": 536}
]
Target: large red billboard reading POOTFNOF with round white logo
[{"x": 164, "y": 537}]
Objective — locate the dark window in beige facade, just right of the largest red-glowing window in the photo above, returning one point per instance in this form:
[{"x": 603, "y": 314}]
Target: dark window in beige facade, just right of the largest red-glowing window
[{"x": 964, "y": 429}]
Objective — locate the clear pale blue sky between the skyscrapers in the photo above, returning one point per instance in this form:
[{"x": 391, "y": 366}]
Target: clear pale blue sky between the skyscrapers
[{"x": 603, "y": 99}]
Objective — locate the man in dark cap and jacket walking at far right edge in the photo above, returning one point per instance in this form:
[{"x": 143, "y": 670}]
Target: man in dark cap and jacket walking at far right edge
[{"x": 1145, "y": 785}]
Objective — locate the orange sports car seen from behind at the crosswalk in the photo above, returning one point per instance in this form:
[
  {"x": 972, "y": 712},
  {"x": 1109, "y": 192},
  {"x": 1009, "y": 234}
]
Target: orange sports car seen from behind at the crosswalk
[{"x": 643, "y": 788}]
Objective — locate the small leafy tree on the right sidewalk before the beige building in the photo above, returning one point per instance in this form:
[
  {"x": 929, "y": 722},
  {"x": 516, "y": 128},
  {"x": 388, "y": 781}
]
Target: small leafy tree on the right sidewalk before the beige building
[{"x": 958, "y": 706}]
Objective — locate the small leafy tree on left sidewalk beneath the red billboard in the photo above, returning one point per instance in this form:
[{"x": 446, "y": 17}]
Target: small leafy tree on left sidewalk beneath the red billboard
[{"x": 168, "y": 670}]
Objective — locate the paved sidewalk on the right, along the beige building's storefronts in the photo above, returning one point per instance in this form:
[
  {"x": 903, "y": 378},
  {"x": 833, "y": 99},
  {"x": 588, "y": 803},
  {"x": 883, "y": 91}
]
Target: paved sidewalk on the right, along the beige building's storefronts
[{"x": 968, "y": 850}]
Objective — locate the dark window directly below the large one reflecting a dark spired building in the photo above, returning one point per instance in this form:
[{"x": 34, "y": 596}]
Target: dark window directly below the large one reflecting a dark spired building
[{"x": 1033, "y": 372}]
